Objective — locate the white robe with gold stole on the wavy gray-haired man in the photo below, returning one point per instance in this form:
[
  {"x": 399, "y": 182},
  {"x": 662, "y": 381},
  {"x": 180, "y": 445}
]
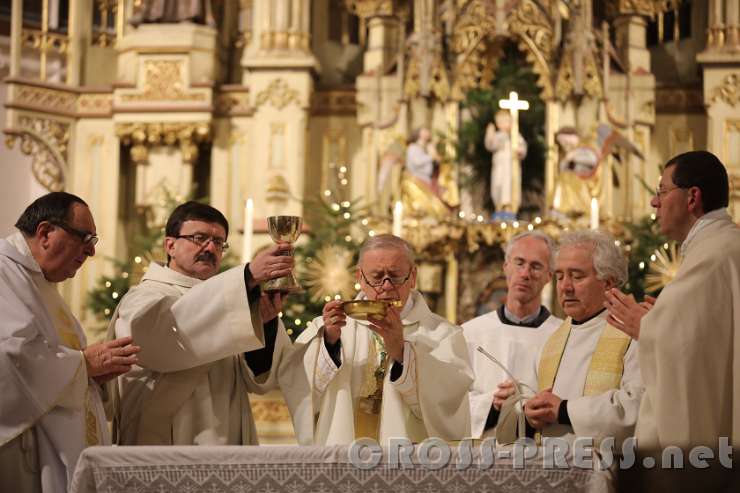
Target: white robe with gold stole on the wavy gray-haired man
[{"x": 594, "y": 412}]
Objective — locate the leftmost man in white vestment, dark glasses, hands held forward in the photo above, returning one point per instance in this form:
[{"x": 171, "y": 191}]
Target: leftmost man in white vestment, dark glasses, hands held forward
[{"x": 51, "y": 404}]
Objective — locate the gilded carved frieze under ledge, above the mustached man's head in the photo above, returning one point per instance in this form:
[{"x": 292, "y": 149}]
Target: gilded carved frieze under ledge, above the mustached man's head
[{"x": 141, "y": 136}]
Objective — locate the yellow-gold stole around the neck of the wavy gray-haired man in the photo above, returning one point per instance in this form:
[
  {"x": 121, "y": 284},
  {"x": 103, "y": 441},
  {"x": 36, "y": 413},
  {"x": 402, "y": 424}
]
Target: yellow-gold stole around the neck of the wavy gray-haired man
[{"x": 607, "y": 361}]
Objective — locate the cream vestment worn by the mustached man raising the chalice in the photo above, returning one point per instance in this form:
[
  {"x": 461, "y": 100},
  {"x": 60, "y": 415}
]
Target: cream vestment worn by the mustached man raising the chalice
[{"x": 192, "y": 382}]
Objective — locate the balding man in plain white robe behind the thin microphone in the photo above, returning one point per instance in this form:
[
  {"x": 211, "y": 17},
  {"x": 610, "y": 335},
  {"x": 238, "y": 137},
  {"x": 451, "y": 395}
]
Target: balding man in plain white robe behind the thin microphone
[{"x": 513, "y": 334}]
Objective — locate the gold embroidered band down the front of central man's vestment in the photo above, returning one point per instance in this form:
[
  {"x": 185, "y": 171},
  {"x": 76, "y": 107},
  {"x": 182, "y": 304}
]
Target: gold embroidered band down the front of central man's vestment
[{"x": 367, "y": 411}]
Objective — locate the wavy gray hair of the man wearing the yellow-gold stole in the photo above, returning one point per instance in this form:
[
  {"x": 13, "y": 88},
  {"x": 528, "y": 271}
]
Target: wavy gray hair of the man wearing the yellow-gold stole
[{"x": 608, "y": 261}]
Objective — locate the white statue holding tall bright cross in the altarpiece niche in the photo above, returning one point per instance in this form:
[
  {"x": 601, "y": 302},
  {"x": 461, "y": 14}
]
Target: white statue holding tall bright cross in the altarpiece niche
[{"x": 506, "y": 182}]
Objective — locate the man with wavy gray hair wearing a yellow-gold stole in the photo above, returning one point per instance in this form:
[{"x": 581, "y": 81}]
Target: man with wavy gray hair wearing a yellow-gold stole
[{"x": 588, "y": 375}]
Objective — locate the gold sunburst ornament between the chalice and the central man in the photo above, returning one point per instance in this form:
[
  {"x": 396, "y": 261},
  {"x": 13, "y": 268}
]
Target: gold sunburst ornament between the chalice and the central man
[{"x": 330, "y": 273}]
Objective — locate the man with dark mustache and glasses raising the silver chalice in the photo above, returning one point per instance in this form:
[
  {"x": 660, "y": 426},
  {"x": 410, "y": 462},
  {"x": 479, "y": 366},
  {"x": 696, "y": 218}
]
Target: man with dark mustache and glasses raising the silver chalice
[{"x": 206, "y": 340}]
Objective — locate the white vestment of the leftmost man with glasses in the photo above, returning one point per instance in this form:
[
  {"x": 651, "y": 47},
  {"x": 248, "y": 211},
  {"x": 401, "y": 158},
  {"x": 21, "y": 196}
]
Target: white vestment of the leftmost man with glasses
[{"x": 44, "y": 385}]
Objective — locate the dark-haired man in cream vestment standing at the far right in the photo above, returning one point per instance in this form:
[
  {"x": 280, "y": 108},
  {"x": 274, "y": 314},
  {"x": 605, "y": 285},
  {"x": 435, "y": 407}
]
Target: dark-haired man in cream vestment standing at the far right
[{"x": 690, "y": 338}]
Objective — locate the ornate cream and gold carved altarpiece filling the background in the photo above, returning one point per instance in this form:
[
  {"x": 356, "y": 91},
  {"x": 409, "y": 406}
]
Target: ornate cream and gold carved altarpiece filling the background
[{"x": 114, "y": 110}]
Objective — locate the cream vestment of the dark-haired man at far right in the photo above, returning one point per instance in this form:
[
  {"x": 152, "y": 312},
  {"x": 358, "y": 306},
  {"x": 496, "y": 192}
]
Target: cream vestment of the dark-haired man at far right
[{"x": 690, "y": 345}]
